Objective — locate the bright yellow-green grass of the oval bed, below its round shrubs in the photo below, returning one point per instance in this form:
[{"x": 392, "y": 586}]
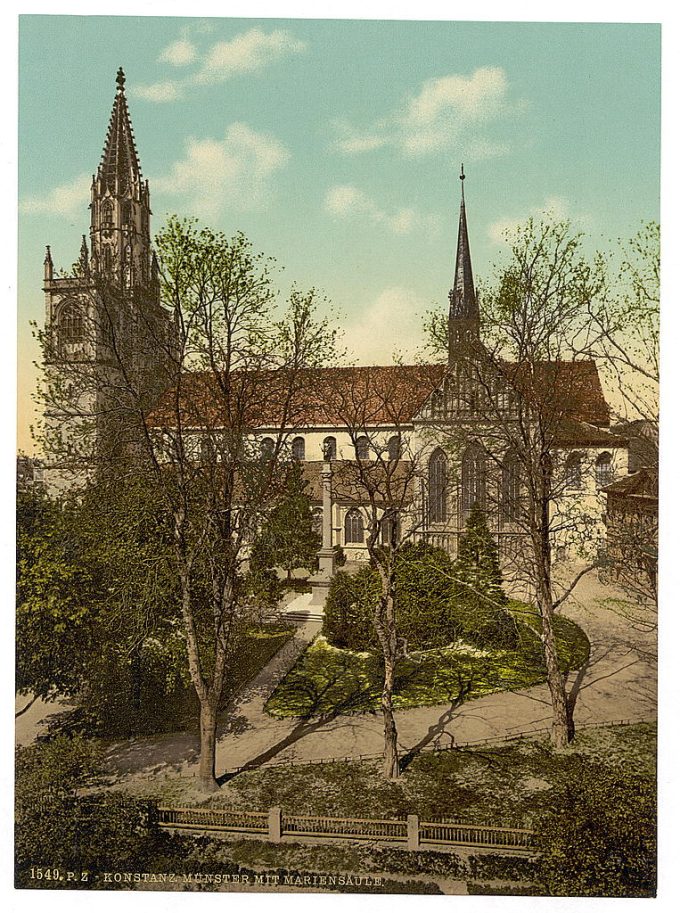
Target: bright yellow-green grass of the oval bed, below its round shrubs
[{"x": 326, "y": 679}]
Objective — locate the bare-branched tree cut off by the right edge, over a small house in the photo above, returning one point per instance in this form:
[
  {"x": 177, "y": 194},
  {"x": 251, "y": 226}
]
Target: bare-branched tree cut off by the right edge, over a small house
[{"x": 626, "y": 340}]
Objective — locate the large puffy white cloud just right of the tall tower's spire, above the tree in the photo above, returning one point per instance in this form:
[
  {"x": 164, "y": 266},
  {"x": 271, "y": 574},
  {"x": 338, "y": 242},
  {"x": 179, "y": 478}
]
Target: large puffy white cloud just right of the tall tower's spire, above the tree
[{"x": 231, "y": 172}]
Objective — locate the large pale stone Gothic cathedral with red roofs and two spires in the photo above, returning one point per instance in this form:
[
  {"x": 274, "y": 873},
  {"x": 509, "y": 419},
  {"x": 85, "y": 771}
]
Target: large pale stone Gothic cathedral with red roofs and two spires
[{"x": 427, "y": 421}]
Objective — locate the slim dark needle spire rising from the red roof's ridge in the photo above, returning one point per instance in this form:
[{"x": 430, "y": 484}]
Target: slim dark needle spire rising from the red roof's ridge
[{"x": 463, "y": 306}]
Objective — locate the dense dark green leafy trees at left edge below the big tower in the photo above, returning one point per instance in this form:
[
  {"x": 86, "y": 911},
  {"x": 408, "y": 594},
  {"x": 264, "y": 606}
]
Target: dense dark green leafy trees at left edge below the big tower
[{"x": 97, "y": 616}]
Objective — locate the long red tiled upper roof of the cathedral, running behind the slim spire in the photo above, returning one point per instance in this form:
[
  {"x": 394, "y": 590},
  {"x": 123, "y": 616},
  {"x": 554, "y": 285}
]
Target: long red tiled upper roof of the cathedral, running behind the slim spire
[{"x": 363, "y": 396}]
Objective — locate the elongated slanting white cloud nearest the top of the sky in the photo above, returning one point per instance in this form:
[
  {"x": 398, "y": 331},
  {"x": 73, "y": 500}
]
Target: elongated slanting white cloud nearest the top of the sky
[{"x": 247, "y": 53}]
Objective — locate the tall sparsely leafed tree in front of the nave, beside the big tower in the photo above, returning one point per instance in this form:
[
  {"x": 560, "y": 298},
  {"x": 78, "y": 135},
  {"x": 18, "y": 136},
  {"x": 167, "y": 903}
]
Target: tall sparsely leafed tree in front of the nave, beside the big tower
[{"x": 180, "y": 399}]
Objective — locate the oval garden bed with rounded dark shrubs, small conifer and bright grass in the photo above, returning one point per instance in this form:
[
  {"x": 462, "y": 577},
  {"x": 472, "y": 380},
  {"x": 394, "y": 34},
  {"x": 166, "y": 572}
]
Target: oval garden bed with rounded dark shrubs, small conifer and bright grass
[{"x": 462, "y": 637}]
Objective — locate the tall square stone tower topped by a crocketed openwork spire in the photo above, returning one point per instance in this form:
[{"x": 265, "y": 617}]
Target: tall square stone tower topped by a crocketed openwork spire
[{"x": 103, "y": 320}]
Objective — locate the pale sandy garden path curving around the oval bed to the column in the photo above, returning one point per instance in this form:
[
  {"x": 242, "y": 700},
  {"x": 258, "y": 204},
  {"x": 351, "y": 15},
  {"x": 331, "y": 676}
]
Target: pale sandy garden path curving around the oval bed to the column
[{"x": 618, "y": 683}]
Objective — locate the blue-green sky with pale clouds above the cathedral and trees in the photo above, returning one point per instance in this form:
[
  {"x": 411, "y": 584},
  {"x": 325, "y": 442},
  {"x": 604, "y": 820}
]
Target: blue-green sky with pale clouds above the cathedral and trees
[{"x": 335, "y": 146}]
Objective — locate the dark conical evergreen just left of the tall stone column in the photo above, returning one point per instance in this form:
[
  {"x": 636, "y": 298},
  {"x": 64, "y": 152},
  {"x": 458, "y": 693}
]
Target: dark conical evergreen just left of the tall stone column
[{"x": 288, "y": 538}]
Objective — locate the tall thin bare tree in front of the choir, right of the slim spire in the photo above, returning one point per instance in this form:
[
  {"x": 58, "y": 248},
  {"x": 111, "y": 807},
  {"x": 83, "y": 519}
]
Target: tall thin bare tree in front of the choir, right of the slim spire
[{"x": 521, "y": 414}]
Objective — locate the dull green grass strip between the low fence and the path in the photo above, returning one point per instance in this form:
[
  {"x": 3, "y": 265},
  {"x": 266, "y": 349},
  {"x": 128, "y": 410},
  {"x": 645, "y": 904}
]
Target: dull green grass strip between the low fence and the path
[{"x": 500, "y": 785}]
